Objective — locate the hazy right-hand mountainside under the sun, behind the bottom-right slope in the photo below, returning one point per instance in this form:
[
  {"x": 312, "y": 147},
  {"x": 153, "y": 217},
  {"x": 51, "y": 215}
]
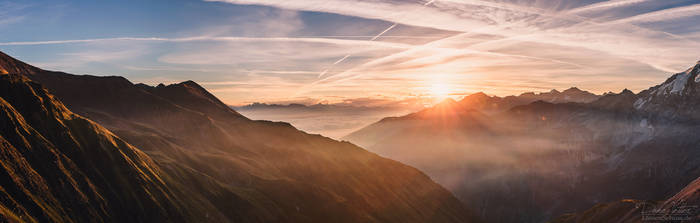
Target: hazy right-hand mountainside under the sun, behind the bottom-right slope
[{"x": 541, "y": 159}]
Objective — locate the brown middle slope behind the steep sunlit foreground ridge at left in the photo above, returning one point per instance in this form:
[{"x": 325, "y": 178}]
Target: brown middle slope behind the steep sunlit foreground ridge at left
[{"x": 248, "y": 170}]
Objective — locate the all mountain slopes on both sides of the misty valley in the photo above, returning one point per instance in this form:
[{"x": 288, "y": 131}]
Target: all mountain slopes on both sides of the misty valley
[{"x": 81, "y": 148}]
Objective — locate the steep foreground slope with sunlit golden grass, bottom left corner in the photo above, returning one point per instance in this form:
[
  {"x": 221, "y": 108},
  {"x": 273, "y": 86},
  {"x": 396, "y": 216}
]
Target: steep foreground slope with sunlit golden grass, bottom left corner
[{"x": 60, "y": 167}]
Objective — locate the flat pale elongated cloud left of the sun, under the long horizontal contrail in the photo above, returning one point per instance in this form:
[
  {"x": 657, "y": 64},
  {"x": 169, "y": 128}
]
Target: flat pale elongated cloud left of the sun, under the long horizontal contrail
[{"x": 283, "y": 52}]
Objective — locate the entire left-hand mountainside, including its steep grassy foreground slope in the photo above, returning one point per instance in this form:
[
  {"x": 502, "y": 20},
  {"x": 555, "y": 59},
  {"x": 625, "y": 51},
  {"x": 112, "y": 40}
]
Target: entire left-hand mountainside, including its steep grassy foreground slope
[{"x": 200, "y": 160}]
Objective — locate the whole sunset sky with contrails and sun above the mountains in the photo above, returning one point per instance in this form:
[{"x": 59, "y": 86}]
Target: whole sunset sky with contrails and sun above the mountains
[{"x": 354, "y": 51}]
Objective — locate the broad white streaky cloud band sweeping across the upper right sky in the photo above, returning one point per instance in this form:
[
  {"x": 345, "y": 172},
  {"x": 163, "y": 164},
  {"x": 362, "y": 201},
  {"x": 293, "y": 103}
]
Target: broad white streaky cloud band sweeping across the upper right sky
[{"x": 522, "y": 24}]
